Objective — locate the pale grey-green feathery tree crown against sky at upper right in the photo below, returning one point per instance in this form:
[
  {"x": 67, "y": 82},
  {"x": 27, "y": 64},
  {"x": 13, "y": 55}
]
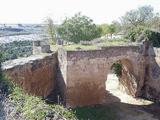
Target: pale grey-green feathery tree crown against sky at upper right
[{"x": 137, "y": 17}]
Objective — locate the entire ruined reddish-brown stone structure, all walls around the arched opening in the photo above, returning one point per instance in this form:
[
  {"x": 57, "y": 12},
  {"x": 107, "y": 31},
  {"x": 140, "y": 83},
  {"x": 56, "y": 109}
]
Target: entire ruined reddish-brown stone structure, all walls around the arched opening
[{"x": 80, "y": 76}]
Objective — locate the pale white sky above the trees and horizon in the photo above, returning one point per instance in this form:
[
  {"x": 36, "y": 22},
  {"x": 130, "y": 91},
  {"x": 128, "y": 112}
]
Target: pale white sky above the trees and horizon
[{"x": 35, "y": 11}]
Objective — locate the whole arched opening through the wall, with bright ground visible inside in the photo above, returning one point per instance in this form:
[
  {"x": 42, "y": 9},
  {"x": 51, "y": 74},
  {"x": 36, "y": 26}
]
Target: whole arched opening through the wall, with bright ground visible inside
[{"x": 121, "y": 80}]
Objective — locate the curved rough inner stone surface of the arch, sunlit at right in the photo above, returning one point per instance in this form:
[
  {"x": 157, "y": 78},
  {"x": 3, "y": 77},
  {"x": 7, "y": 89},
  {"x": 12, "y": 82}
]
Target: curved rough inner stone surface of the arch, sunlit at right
[{"x": 127, "y": 80}]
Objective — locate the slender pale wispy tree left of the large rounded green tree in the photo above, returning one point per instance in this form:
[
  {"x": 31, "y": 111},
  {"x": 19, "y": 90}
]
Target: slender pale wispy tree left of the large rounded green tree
[{"x": 50, "y": 29}]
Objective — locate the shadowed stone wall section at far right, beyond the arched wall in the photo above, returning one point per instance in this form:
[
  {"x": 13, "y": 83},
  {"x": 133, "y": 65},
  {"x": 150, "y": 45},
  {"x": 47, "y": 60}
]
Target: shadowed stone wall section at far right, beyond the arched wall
[{"x": 152, "y": 80}]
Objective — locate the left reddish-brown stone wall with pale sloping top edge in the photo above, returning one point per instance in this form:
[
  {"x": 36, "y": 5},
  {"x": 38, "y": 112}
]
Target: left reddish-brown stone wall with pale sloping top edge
[{"x": 35, "y": 74}]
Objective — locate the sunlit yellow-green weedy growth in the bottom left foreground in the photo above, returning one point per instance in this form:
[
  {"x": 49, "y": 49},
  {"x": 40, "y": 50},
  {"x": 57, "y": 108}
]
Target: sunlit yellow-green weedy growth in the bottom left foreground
[{"x": 34, "y": 108}]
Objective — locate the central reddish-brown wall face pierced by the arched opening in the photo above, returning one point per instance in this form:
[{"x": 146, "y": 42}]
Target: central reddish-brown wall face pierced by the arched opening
[{"x": 87, "y": 72}]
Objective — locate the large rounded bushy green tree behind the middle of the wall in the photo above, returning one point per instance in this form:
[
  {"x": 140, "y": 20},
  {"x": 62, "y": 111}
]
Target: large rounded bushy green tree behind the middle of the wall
[{"x": 78, "y": 28}]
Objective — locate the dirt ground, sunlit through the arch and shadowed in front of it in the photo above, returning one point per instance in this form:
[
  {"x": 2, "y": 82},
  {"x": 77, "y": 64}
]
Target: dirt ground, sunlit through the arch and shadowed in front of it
[{"x": 129, "y": 108}]
